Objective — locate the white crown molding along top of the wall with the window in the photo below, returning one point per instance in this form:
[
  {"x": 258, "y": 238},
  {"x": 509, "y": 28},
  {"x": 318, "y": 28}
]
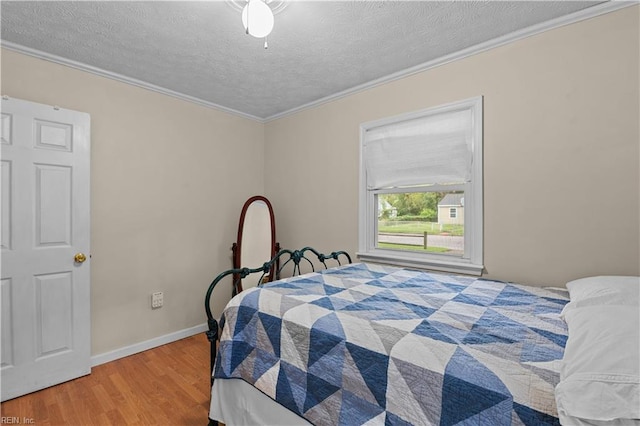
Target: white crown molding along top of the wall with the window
[{"x": 591, "y": 12}]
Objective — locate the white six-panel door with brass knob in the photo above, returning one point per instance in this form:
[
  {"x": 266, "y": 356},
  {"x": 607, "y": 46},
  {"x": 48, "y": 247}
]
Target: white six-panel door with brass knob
[{"x": 45, "y": 296}]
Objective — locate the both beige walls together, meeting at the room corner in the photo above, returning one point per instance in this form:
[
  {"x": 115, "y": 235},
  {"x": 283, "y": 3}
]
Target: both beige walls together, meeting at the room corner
[{"x": 561, "y": 127}]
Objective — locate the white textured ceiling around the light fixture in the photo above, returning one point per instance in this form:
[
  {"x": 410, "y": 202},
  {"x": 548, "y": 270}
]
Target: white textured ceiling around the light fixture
[{"x": 317, "y": 48}]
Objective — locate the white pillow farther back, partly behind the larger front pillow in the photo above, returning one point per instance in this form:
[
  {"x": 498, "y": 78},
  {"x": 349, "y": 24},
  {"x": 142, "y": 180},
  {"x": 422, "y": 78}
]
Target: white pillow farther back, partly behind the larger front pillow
[{"x": 604, "y": 290}]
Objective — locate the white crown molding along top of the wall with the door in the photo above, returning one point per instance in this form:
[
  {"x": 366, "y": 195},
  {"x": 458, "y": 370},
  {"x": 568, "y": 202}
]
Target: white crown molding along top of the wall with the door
[{"x": 122, "y": 78}]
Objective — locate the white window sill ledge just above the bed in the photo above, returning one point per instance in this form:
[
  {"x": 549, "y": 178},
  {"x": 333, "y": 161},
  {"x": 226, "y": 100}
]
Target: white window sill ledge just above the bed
[{"x": 410, "y": 260}]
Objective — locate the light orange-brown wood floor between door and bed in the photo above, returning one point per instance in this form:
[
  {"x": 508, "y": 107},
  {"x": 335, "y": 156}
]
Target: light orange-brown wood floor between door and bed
[{"x": 168, "y": 385}]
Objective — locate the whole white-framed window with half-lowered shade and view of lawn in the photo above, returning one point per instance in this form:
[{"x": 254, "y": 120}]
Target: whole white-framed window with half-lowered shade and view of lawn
[{"x": 421, "y": 189}]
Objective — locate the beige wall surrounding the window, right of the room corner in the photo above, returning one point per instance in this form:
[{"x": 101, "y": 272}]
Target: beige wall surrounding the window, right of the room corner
[{"x": 561, "y": 128}]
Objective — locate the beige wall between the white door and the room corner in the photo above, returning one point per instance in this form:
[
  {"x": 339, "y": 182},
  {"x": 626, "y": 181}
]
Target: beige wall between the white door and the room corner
[{"x": 164, "y": 207}]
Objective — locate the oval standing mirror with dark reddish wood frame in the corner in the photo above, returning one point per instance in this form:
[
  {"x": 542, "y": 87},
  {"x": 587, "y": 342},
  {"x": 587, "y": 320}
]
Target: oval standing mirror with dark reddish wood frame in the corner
[{"x": 256, "y": 242}]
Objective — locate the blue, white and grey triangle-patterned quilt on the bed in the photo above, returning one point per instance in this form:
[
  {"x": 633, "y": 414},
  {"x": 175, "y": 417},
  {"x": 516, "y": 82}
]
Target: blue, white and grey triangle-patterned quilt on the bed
[{"x": 381, "y": 345}]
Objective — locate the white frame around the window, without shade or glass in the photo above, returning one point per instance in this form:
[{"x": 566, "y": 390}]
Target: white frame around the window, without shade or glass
[{"x": 472, "y": 260}]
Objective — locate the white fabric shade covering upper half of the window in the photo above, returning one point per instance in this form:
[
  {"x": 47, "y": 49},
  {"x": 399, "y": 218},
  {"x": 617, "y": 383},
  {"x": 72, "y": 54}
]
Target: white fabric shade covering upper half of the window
[{"x": 429, "y": 150}]
